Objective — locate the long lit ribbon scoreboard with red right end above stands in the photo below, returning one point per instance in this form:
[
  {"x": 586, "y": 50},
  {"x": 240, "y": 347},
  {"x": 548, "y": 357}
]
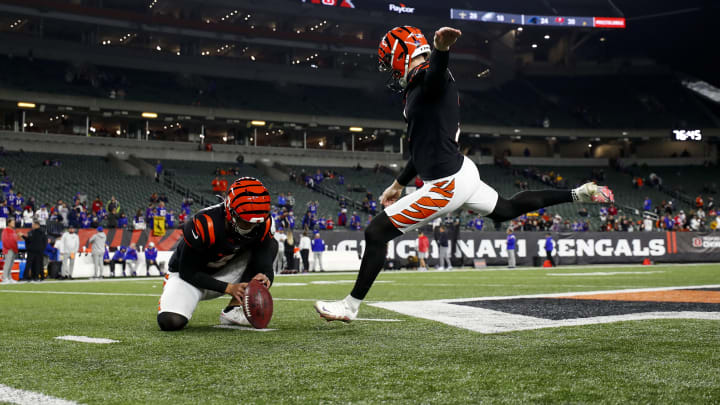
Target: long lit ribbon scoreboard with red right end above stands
[{"x": 542, "y": 20}]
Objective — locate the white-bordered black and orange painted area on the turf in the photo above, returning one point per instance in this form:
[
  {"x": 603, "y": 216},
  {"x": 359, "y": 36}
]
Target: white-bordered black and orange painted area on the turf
[{"x": 506, "y": 314}]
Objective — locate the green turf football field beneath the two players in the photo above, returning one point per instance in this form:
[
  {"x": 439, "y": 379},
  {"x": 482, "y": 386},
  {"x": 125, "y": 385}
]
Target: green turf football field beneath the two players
[{"x": 409, "y": 359}]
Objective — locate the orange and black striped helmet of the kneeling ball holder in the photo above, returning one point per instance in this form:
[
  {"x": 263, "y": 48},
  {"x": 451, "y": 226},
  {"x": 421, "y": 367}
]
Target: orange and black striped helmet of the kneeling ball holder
[{"x": 247, "y": 200}]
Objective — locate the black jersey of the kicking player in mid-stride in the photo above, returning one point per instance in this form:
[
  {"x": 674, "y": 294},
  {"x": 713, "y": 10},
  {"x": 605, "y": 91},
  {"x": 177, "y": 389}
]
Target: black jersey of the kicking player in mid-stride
[{"x": 432, "y": 112}]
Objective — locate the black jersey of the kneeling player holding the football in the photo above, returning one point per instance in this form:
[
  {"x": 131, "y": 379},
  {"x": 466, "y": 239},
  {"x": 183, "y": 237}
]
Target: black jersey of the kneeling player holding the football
[{"x": 208, "y": 245}]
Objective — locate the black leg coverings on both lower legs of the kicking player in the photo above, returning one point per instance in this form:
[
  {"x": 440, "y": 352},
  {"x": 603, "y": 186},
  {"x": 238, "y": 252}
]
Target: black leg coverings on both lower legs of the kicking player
[{"x": 381, "y": 231}]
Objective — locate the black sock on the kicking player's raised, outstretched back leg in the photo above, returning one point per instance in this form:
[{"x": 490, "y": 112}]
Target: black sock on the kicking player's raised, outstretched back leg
[{"x": 528, "y": 201}]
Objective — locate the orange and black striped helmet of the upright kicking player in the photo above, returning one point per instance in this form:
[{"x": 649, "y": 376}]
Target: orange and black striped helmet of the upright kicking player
[{"x": 397, "y": 48}]
